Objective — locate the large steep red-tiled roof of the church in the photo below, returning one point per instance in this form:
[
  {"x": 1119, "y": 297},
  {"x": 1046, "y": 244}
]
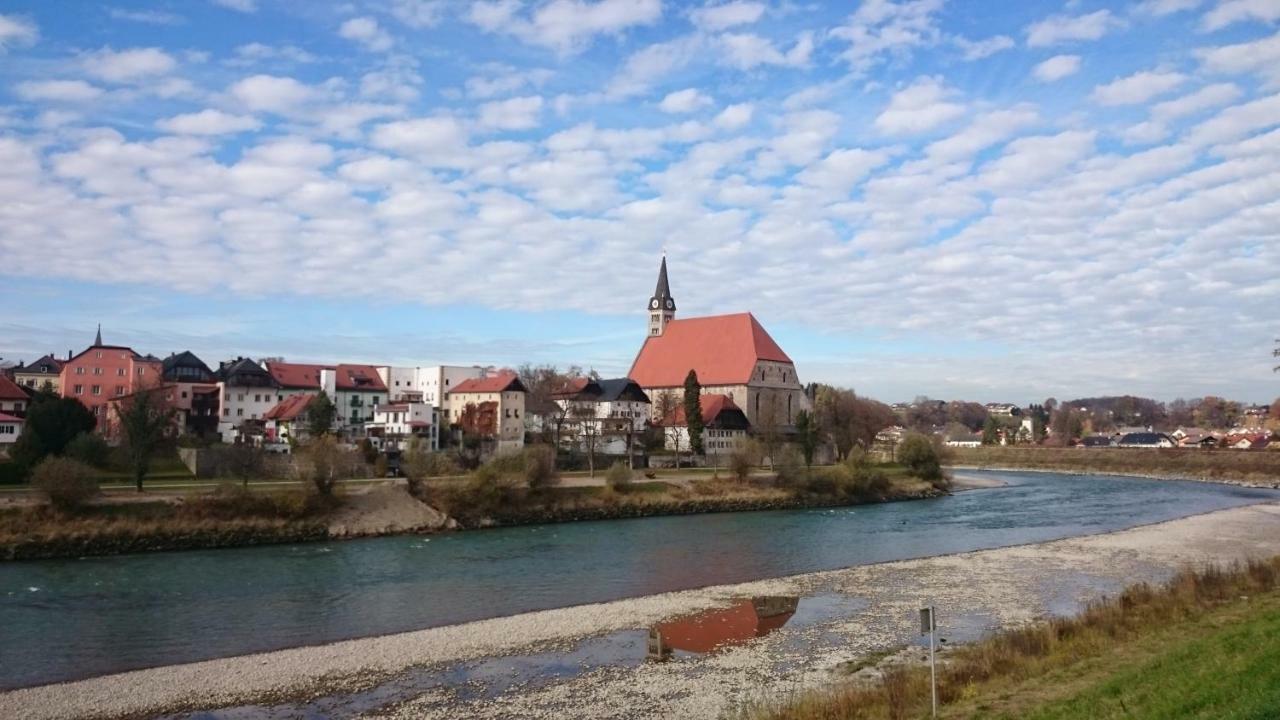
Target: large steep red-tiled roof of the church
[{"x": 723, "y": 349}]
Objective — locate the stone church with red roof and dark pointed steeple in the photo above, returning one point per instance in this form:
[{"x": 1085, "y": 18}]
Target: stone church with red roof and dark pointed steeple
[{"x": 733, "y": 356}]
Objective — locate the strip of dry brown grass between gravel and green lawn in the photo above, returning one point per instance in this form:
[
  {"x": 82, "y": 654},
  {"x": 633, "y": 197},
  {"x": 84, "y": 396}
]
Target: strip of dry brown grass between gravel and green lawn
[{"x": 1035, "y": 650}]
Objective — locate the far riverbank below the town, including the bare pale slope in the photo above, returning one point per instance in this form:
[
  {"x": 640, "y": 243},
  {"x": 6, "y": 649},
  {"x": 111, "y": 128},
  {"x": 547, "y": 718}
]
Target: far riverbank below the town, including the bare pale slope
[{"x": 235, "y": 518}]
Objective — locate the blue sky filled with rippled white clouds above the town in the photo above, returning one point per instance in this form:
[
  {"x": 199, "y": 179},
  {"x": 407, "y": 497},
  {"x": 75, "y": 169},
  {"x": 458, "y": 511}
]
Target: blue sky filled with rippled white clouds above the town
[{"x": 982, "y": 200}]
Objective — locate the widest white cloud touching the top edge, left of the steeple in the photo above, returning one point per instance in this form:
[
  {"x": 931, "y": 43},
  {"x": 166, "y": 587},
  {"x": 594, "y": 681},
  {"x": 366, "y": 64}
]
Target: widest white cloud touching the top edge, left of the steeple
[{"x": 566, "y": 26}]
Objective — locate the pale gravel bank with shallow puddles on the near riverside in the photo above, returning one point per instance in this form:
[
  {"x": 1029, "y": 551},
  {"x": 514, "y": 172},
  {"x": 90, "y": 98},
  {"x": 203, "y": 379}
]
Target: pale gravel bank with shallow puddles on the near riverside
[{"x": 868, "y": 609}]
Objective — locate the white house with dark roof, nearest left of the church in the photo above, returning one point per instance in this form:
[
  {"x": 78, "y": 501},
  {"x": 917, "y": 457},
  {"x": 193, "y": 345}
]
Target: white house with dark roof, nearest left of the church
[{"x": 609, "y": 413}]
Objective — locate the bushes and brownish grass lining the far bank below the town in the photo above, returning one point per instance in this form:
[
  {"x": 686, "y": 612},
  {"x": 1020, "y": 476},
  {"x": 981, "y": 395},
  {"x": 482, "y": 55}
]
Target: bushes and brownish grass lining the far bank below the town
[{"x": 516, "y": 489}]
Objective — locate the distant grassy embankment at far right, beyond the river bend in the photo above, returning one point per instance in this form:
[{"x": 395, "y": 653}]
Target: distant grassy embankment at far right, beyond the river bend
[{"x": 1260, "y": 468}]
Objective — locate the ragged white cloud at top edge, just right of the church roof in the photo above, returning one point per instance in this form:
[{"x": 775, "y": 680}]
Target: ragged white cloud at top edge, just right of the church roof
[{"x": 883, "y": 29}]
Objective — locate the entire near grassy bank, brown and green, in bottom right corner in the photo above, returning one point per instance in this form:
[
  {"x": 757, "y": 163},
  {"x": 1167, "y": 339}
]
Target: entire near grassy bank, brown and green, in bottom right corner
[{"x": 1205, "y": 645}]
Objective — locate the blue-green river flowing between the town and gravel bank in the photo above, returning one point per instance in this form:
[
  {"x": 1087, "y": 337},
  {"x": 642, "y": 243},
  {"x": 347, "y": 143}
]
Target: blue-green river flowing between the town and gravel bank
[{"x": 71, "y": 619}]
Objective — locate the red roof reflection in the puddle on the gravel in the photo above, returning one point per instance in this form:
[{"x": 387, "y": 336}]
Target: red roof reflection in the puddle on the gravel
[{"x": 705, "y": 632}]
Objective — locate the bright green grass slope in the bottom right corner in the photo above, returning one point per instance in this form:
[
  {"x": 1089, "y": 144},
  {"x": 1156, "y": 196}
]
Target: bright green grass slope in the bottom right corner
[{"x": 1226, "y": 666}]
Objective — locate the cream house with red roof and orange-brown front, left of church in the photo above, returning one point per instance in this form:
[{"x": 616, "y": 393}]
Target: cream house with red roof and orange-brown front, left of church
[{"x": 491, "y": 408}]
